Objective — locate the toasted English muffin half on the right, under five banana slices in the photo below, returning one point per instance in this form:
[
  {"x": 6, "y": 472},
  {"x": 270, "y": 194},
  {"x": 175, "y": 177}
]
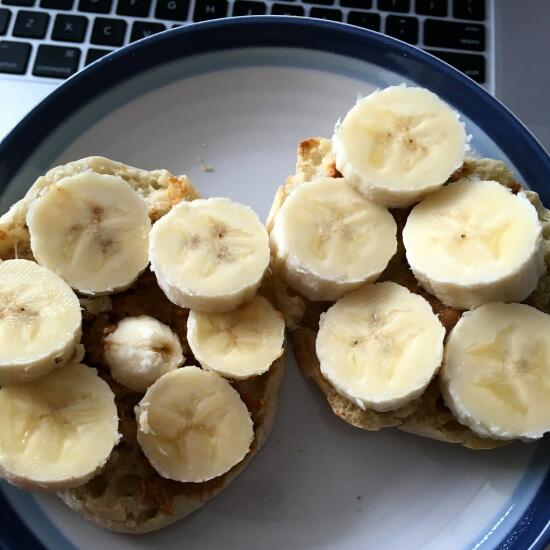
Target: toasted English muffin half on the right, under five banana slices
[{"x": 427, "y": 416}]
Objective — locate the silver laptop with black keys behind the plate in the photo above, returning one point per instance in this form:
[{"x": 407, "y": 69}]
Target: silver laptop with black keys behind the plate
[{"x": 501, "y": 44}]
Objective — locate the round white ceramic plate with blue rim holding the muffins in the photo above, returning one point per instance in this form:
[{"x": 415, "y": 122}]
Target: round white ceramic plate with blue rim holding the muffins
[{"x": 240, "y": 94}]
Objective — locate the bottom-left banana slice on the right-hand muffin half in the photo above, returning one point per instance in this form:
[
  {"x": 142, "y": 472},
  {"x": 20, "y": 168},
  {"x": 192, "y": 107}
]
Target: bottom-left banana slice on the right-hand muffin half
[{"x": 380, "y": 346}]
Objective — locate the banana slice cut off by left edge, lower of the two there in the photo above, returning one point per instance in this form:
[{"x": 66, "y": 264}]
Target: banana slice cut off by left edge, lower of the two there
[{"x": 57, "y": 432}]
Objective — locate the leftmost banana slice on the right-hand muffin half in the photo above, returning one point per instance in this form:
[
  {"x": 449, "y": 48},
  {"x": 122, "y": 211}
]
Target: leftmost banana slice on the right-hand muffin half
[{"x": 328, "y": 239}]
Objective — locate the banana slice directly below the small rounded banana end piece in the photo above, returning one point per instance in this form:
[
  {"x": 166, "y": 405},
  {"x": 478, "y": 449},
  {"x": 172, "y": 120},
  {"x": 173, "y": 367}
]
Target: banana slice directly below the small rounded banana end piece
[{"x": 193, "y": 426}]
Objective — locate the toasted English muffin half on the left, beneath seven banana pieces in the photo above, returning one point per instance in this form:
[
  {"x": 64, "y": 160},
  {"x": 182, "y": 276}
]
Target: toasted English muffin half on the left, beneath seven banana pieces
[{"x": 128, "y": 496}]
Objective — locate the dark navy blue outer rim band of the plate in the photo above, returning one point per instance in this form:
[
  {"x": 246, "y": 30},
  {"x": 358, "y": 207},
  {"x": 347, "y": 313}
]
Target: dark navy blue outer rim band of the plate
[{"x": 527, "y": 154}]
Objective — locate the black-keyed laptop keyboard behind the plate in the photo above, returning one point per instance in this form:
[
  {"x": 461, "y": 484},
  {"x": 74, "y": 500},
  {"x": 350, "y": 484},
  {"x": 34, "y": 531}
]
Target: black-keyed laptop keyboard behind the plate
[{"x": 55, "y": 38}]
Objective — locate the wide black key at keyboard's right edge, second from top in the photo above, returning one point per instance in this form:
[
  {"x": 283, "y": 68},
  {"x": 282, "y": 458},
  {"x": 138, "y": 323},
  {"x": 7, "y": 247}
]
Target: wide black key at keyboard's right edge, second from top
[{"x": 460, "y": 36}]
